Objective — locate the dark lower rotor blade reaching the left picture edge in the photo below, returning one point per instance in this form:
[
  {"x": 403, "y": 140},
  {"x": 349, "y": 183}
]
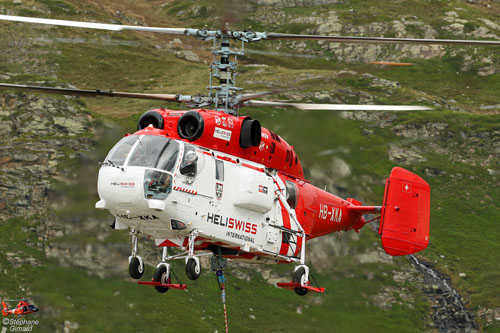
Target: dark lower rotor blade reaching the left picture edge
[{"x": 89, "y": 93}]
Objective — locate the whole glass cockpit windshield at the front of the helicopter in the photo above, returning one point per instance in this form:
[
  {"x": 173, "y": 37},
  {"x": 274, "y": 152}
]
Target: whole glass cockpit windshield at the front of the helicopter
[{"x": 150, "y": 151}]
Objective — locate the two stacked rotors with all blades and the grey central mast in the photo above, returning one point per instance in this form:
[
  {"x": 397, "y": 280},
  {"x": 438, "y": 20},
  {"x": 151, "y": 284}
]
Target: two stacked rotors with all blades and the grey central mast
[{"x": 225, "y": 96}]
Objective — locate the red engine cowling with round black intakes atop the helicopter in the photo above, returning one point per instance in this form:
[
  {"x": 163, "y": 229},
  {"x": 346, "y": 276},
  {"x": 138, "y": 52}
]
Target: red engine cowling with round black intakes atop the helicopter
[{"x": 239, "y": 136}]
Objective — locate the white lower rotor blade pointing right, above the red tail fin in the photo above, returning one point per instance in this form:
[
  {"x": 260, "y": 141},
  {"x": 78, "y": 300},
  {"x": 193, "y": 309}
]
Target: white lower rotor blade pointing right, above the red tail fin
[{"x": 338, "y": 107}]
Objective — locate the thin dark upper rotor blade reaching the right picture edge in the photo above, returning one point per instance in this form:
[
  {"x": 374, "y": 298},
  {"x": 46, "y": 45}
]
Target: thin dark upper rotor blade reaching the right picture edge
[{"x": 357, "y": 39}]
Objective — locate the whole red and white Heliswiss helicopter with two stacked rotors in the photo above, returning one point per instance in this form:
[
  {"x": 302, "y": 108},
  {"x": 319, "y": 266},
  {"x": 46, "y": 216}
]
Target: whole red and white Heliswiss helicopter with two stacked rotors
[{"x": 215, "y": 183}]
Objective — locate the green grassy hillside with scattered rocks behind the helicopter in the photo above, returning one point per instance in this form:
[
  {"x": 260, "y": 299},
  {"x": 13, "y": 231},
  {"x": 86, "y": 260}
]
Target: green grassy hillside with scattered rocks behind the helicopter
[{"x": 62, "y": 254}]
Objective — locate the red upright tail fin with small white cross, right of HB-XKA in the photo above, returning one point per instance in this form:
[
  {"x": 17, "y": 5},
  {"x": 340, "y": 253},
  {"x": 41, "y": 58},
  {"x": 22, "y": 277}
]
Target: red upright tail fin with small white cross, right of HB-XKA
[{"x": 404, "y": 223}]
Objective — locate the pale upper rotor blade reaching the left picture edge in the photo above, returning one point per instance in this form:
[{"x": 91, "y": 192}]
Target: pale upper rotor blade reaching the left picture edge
[{"x": 90, "y": 25}]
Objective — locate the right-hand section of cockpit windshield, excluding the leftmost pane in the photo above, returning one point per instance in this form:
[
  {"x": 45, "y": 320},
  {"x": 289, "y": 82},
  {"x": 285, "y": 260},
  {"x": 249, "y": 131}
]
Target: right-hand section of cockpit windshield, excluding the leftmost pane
[{"x": 155, "y": 152}]
